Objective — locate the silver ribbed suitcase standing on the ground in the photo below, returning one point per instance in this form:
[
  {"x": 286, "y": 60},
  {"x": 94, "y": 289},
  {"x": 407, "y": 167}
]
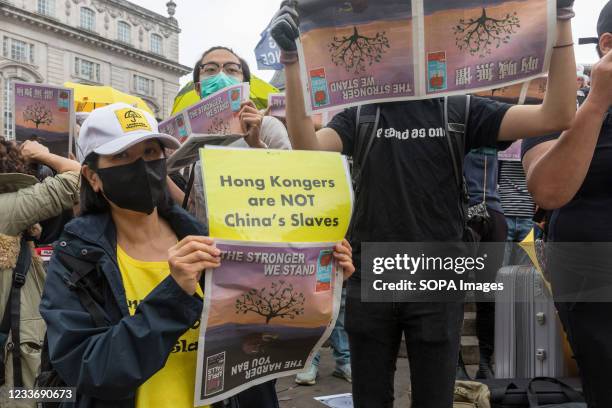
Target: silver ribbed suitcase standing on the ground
[{"x": 528, "y": 333}]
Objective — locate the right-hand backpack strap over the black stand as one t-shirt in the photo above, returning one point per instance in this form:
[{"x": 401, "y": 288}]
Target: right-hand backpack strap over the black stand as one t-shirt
[{"x": 456, "y": 119}]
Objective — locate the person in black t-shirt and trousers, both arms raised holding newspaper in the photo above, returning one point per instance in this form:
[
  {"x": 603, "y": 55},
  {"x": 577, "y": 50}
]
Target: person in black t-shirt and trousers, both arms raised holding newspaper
[{"x": 408, "y": 192}]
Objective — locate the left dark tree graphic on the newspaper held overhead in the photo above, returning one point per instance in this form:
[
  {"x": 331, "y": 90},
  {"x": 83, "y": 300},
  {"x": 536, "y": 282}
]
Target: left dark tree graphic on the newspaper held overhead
[{"x": 356, "y": 52}]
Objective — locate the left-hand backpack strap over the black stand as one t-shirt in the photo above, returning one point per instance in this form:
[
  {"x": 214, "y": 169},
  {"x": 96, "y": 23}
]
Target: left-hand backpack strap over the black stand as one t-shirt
[{"x": 367, "y": 121}]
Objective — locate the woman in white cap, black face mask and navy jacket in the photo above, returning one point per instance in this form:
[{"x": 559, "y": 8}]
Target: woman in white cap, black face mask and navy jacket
[{"x": 137, "y": 258}]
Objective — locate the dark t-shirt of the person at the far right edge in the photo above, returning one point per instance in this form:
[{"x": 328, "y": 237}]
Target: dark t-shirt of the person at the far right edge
[{"x": 588, "y": 216}]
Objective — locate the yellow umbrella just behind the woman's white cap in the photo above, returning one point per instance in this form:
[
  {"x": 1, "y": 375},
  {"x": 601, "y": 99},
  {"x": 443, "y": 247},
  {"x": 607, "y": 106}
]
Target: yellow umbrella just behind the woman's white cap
[{"x": 89, "y": 97}]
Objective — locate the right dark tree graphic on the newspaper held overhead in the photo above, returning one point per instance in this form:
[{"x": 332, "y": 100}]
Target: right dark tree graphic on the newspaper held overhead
[{"x": 478, "y": 36}]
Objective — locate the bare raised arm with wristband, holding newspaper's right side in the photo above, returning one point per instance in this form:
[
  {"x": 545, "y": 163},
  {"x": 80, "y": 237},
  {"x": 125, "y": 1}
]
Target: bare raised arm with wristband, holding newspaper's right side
[{"x": 559, "y": 107}]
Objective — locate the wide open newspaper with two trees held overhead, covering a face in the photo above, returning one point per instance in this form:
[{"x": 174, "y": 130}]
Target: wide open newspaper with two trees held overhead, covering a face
[{"x": 395, "y": 50}]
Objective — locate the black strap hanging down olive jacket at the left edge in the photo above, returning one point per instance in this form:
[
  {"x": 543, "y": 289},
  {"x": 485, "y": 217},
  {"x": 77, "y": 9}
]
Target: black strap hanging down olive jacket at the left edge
[{"x": 12, "y": 315}]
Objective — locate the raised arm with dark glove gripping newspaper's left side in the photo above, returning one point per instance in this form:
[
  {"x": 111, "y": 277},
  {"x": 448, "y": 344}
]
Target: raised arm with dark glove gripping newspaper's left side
[{"x": 301, "y": 128}]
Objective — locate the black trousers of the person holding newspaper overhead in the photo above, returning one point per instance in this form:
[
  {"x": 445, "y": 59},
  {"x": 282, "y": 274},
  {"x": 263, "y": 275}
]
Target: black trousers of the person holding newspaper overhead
[{"x": 432, "y": 332}]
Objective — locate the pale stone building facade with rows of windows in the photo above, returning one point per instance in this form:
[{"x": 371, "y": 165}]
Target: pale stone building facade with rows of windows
[{"x": 95, "y": 42}]
